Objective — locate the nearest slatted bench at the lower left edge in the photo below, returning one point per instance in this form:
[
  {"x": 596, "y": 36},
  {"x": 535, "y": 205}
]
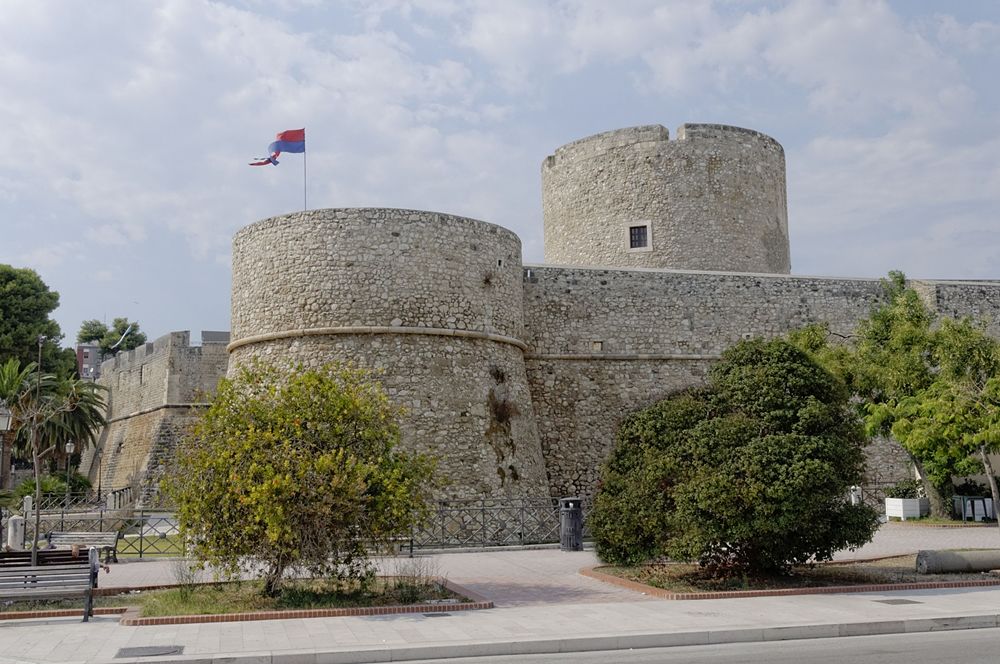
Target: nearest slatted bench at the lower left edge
[{"x": 76, "y": 579}]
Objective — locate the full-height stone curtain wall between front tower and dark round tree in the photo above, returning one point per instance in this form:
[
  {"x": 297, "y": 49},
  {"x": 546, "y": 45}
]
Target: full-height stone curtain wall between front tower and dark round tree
[{"x": 603, "y": 343}]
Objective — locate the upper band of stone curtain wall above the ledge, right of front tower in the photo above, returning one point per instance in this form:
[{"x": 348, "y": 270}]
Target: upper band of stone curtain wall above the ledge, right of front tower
[{"x": 665, "y": 312}]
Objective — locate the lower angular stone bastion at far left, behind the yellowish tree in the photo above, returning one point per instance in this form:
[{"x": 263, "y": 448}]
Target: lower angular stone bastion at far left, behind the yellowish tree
[{"x": 156, "y": 390}]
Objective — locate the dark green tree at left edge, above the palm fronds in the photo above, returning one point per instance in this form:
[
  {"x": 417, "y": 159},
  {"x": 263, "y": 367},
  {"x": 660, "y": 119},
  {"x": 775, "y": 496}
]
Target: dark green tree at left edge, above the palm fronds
[{"x": 25, "y": 305}]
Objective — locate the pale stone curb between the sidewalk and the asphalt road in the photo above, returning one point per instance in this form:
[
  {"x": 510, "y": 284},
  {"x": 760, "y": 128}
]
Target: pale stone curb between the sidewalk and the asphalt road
[{"x": 580, "y": 644}]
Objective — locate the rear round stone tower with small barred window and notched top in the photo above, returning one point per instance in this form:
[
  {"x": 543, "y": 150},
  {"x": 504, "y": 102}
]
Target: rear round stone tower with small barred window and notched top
[{"x": 712, "y": 199}]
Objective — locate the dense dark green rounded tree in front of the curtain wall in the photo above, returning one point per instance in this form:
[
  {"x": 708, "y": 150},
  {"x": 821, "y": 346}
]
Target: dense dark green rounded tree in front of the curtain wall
[{"x": 748, "y": 476}]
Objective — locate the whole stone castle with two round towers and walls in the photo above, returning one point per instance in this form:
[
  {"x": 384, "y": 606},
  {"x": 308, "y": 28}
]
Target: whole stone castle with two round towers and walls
[{"x": 659, "y": 254}]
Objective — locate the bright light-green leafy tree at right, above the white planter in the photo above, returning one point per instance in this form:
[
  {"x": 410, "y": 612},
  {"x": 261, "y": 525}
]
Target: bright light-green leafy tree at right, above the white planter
[{"x": 923, "y": 381}]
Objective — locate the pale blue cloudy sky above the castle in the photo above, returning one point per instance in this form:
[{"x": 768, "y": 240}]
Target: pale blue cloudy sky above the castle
[{"x": 129, "y": 124}]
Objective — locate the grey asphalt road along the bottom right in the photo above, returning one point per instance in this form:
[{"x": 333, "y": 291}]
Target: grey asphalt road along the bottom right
[{"x": 976, "y": 646}]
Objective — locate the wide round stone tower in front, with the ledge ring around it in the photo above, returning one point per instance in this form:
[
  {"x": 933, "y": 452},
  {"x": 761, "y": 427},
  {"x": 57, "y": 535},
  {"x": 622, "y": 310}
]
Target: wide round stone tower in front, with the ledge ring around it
[{"x": 432, "y": 299}]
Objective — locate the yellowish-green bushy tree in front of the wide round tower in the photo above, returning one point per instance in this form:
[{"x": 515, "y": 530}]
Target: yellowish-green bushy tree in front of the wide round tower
[{"x": 297, "y": 469}]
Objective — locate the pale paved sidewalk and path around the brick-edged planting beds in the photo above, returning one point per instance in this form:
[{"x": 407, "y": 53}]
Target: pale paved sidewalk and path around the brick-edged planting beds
[{"x": 543, "y": 605}]
